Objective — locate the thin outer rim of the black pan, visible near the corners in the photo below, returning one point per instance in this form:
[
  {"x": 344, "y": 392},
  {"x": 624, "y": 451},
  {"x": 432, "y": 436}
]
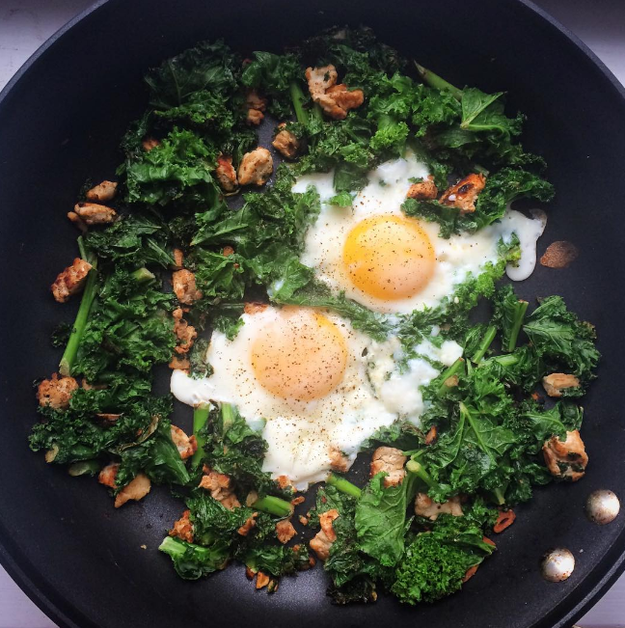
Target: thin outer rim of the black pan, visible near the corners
[{"x": 65, "y": 615}]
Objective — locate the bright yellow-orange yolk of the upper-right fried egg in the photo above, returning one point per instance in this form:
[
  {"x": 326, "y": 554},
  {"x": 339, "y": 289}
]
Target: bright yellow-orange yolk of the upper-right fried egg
[{"x": 389, "y": 257}]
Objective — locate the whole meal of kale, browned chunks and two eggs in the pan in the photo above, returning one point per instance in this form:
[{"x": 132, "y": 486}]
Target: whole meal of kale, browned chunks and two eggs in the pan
[{"x": 314, "y": 295}]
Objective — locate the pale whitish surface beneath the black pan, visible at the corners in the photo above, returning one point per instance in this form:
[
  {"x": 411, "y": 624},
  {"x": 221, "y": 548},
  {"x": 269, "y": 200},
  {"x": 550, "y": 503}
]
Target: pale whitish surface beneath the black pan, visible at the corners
[{"x": 26, "y": 24}]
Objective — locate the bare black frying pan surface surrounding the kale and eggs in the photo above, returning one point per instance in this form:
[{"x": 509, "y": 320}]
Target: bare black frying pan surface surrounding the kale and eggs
[{"x": 60, "y": 122}]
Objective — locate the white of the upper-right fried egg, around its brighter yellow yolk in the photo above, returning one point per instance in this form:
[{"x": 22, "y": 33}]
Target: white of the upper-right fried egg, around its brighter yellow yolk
[{"x": 456, "y": 257}]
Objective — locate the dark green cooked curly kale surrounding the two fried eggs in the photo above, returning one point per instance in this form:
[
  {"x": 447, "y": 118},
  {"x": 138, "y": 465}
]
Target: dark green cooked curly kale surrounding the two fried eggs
[{"x": 482, "y": 440}]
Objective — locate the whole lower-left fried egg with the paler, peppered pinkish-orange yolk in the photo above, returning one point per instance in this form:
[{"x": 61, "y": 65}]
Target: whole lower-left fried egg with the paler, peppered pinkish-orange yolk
[{"x": 315, "y": 386}]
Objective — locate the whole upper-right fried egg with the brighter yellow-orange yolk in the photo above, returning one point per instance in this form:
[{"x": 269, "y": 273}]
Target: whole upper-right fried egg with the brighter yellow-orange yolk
[{"x": 392, "y": 263}]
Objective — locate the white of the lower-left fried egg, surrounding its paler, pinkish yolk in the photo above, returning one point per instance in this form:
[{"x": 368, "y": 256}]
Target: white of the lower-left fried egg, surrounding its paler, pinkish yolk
[{"x": 301, "y": 435}]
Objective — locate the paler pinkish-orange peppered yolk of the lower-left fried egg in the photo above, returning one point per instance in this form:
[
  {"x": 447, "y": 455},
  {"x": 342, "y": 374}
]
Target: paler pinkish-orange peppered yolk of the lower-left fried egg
[{"x": 301, "y": 355}]
